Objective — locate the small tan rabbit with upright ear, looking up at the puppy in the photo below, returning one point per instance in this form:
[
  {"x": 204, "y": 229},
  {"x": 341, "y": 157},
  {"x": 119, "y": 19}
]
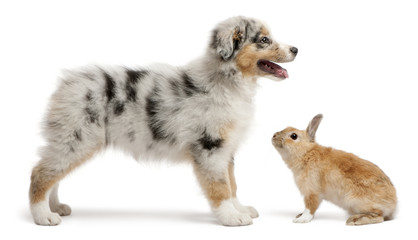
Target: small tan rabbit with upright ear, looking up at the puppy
[{"x": 342, "y": 178}]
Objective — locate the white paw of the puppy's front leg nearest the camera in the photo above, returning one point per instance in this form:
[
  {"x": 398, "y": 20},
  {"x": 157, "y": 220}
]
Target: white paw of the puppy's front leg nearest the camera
[{"x": 228, "y": 215}]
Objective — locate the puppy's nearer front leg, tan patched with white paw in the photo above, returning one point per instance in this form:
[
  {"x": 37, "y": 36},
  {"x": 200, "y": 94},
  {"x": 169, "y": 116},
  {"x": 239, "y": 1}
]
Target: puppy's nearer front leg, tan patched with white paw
[{"x": 213, "y": 176}]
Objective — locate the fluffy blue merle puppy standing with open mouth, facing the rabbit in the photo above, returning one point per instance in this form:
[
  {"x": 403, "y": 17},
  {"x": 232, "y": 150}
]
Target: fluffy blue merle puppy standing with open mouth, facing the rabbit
[{"x": 197, "y": 113}]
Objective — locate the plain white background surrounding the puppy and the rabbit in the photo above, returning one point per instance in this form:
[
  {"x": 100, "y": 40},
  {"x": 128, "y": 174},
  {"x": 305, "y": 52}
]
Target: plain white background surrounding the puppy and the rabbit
[{"x": 356, "y": 65}]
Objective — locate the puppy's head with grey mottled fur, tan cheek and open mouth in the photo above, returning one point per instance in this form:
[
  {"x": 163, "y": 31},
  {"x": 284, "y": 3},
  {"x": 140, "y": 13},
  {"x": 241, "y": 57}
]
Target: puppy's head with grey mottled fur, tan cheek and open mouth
[{"x": 248, "y": 43}]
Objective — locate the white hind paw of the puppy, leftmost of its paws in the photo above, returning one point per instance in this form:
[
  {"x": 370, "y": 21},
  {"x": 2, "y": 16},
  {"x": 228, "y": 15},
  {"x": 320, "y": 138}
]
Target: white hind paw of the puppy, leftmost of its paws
[{"x": 42, "y": 215}]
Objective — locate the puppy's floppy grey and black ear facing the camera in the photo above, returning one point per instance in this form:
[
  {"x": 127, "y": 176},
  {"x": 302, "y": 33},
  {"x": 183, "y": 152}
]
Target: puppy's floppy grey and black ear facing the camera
[{"x": 226, "y": 41}]
